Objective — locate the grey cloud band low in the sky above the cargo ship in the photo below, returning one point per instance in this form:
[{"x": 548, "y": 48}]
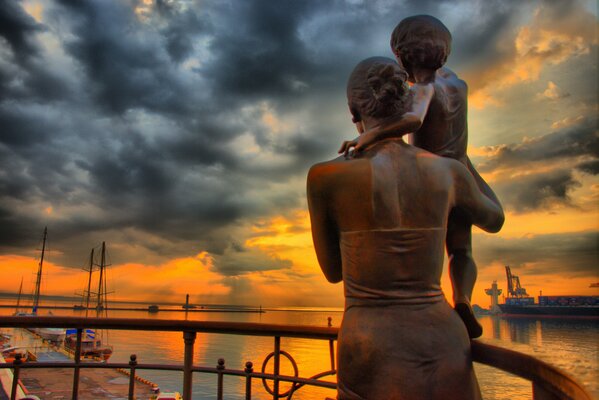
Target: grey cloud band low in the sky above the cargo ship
[{"x": 566, "y": 254}]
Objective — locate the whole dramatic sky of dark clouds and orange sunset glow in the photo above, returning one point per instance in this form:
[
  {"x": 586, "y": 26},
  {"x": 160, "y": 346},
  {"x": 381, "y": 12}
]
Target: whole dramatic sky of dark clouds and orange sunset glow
[{"x": 181, "y": 133}]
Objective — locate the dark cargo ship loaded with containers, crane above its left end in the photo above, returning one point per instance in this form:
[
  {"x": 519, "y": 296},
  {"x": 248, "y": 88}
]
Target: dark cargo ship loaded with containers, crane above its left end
[{"x": 519, "y": 303}]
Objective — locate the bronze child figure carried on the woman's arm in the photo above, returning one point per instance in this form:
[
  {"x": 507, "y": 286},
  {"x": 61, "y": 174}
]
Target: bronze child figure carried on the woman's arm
[{"x": 438, "y": 118}]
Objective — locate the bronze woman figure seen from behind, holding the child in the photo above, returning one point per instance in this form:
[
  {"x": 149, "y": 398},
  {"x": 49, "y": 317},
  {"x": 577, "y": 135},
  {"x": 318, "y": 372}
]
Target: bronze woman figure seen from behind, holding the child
[{"x": 379, "y": 222}]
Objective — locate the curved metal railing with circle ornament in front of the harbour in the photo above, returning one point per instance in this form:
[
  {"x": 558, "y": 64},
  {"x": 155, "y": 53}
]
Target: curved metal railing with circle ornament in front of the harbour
[{"x": 548, "y": 382}]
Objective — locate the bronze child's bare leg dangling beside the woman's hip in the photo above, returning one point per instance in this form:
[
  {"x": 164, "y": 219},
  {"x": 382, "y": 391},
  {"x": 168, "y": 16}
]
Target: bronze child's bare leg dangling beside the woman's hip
[{"x": 462, "y": 269}]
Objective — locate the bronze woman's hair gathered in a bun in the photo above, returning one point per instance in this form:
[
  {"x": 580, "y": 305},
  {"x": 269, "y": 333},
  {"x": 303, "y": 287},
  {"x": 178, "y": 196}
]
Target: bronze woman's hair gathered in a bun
[{"x": 377, "y": 88}]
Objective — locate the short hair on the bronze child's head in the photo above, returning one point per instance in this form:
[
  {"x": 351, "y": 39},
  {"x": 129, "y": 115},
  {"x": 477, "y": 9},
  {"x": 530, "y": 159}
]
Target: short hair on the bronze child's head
[{"x": 421, "y": 41}]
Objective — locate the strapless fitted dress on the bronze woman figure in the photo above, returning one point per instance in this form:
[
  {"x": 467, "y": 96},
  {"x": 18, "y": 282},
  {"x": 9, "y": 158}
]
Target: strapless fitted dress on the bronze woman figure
[{"x": 399, "y": 338}]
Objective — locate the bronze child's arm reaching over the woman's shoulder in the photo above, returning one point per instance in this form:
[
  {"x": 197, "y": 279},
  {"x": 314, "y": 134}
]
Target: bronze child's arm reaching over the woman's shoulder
[{"x": 397, "y": 126}]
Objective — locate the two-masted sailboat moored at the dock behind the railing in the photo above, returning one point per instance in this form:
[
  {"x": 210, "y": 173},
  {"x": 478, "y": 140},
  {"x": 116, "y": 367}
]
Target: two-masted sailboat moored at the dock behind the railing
[{"x": 92, "y": 346}]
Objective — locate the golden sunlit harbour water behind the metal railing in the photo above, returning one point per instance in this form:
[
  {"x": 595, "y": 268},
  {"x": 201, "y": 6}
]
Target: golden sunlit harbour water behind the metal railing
[{"x": 571, "y": 345}]
